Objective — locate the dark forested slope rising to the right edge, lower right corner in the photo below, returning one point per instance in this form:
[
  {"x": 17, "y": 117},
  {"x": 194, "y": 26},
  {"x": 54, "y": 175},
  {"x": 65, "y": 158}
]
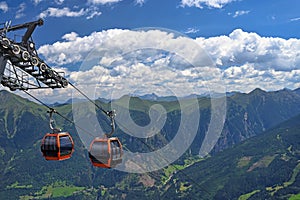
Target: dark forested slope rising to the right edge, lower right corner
[{"x": 263, "y": 167}]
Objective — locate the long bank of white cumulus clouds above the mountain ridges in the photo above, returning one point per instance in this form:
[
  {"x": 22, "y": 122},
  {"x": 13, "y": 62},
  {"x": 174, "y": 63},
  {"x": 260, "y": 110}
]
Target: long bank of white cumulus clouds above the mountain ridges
[{"x": 122, "y": 58}]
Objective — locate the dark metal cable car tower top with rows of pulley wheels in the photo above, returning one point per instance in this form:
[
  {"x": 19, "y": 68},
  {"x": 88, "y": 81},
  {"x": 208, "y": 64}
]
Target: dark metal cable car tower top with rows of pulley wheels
[{"x": 20, "y": 66}]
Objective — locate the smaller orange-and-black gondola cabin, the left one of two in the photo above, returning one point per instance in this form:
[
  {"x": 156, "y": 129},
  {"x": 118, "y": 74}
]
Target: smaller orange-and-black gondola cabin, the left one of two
[{"x": 57, "y": 146}]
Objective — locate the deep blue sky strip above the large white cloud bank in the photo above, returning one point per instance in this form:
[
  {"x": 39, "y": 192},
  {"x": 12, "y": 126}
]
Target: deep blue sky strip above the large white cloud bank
[{"x": 275, "y": 18}]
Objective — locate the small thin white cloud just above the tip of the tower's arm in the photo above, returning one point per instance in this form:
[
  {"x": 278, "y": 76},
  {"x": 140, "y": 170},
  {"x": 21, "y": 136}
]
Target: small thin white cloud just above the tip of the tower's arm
[{"x": 64, "y": 12}]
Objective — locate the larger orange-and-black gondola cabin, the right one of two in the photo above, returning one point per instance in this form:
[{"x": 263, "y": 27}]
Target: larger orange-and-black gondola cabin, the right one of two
[{"x": 106, "y": 152}]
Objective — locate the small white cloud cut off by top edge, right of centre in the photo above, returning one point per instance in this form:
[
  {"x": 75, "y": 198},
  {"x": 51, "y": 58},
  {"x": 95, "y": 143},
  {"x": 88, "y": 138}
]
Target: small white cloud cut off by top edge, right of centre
[{"x": 209, "y": 3}]
